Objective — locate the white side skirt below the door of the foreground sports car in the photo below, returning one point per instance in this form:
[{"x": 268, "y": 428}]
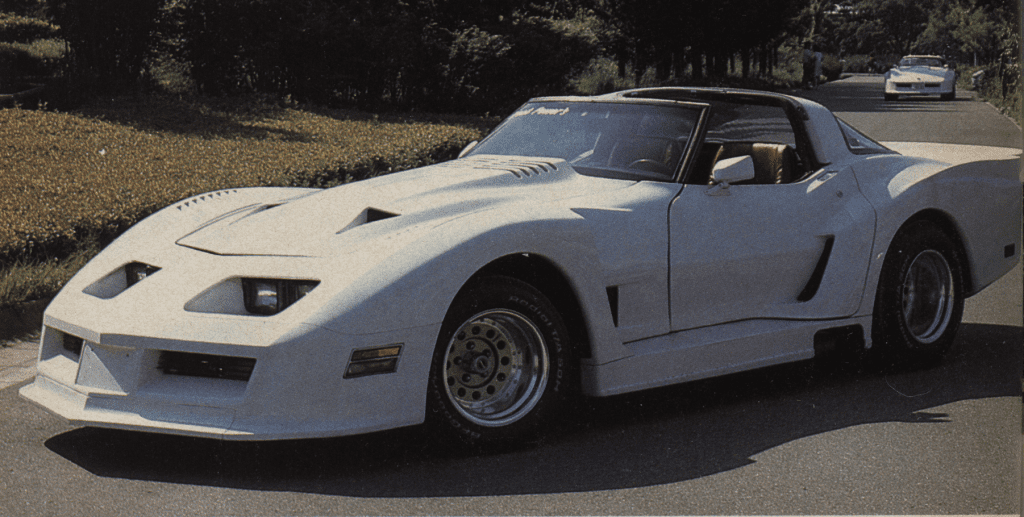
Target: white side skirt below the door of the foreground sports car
[{"x": 710, "y": 352}]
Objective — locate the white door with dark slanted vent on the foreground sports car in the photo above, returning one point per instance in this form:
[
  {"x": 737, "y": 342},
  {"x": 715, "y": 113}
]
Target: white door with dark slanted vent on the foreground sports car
[{"x": 770, "y": 251}]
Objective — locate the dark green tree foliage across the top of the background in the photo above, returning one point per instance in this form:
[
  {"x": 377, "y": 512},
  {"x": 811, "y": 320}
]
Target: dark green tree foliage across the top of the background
[{"x": 479, "y": 56}]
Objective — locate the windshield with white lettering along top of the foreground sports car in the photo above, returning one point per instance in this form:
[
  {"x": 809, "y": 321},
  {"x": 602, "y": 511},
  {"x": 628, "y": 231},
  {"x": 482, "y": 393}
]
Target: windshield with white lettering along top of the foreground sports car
[{"x": 610, "y": 140}]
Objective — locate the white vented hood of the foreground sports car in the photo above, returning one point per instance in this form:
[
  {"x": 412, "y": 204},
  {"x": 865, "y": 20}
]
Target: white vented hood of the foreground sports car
[{"x": 311, "y": 225}]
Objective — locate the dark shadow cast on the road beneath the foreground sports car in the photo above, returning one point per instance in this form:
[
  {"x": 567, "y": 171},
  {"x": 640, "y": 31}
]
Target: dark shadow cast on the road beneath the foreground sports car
[{"x": 644, "y": 440}]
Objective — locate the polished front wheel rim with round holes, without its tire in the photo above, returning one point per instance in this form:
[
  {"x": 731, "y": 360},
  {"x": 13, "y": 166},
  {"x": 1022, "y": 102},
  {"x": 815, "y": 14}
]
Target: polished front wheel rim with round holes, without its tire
[{"x": 496, "y": 368}]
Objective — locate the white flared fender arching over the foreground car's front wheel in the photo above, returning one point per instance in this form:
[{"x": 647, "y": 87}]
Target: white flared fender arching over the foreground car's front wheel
[{"x": 415, "y": 287}]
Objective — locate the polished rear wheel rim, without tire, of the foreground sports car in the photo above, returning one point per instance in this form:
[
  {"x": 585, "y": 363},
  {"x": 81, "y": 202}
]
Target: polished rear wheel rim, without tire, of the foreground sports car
[{"x": 928, "y": 296}]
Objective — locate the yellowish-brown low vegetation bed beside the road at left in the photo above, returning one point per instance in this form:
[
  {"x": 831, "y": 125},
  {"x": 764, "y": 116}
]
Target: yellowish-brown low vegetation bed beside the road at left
[{"x": 98, "y": 170}]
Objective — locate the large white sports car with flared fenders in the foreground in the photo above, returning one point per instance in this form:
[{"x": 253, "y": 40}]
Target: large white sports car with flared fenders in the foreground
[{"x": 590, "y": 246}]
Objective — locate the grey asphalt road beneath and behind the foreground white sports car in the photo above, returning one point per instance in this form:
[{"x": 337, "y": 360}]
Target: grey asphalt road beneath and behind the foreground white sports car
[{"x": 785, "y": 441}]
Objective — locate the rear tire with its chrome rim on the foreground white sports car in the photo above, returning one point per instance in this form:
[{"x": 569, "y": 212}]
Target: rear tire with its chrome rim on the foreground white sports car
[{"x": 920, "y": 301}]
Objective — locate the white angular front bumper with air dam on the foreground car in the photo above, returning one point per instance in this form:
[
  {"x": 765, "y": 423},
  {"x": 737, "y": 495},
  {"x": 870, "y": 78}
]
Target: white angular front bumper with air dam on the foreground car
[{"x": 294, "y": 389}]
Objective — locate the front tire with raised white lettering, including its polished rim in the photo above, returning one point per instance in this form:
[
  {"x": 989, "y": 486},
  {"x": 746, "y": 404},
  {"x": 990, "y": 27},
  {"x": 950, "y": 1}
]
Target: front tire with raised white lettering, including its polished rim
[{"x": 502, "y": 370}]
